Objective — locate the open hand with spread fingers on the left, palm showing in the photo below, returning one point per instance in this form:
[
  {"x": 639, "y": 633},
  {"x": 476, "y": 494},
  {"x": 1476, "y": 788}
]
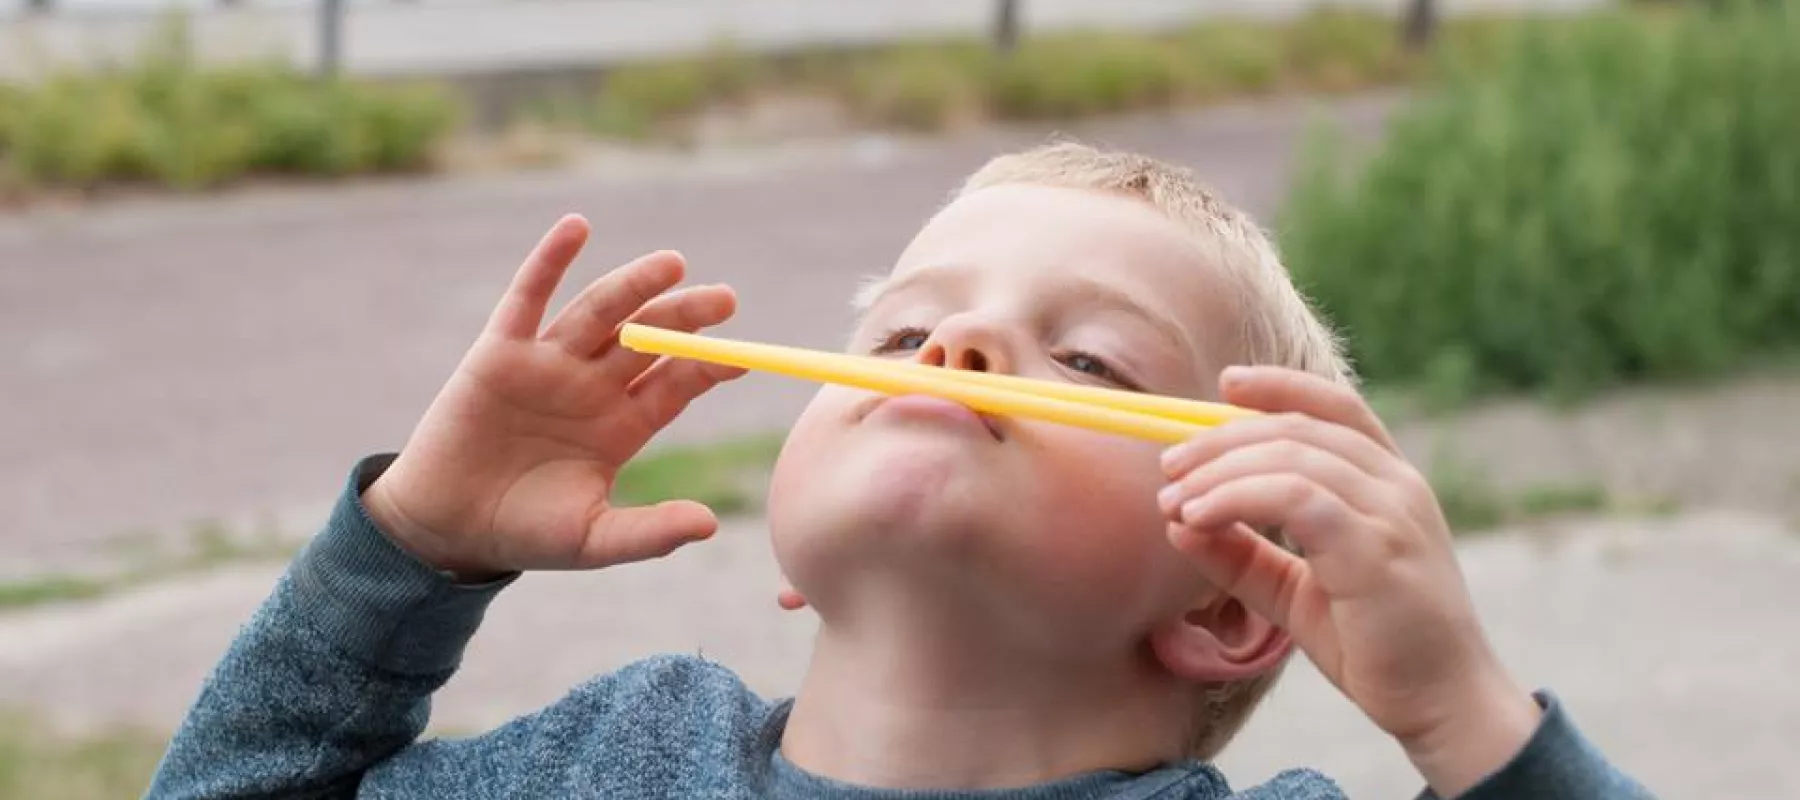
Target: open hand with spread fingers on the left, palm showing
[{"x": 514, "y": 462}]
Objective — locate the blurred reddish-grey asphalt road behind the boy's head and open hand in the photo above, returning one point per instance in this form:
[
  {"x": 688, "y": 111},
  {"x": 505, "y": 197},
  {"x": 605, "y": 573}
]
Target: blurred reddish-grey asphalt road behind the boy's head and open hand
[{"x": 229, "y": 358}]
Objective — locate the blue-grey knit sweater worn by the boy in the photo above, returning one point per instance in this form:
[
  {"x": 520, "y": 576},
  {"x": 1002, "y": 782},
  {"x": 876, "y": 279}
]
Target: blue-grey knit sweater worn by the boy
[{"x": 327, "y": 691}]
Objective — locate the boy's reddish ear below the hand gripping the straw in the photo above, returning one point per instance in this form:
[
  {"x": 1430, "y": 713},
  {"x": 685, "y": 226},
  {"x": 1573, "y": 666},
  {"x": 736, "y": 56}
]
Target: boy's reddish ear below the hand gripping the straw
[{"x": 1219, "y": 641}]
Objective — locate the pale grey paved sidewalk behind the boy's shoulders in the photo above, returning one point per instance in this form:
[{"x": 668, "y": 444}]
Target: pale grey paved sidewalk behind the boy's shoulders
[{"x": 1669, "y": 641}]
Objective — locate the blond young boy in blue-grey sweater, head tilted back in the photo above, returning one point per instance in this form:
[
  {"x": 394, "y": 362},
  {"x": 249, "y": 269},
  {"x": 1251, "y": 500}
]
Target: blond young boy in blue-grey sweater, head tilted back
[{"x": 1007, "y": 608}]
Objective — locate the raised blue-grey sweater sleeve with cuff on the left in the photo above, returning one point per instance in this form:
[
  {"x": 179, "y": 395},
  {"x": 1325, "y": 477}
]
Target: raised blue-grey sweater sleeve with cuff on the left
[{"x": 334, "y": 675}]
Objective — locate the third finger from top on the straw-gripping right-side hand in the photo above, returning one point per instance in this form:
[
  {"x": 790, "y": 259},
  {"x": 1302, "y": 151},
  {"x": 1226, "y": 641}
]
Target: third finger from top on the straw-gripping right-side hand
[{"x": 1279, "y": 457}]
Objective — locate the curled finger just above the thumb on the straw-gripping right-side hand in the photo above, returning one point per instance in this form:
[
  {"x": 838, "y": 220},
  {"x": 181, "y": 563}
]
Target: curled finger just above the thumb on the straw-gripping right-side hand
[{"x": 1311, "y": 516}]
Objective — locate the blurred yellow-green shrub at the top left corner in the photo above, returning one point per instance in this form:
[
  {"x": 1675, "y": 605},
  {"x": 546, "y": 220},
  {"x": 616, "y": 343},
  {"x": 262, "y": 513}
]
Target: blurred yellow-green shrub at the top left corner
[{"x": 170, "y": 122}]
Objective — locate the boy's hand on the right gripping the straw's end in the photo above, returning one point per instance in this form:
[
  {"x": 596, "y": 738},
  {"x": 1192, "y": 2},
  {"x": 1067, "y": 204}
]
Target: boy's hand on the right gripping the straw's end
[{"x": 1374, "y": 597}]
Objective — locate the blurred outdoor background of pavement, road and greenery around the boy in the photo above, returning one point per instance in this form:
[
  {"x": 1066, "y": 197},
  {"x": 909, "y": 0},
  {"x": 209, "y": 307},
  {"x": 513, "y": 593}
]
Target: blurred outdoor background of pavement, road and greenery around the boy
[{"x": 244, "y": 242}]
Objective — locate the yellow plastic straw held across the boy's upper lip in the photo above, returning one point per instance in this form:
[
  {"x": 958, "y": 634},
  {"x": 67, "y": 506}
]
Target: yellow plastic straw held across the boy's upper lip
[{"x": 1147, "y": 417}]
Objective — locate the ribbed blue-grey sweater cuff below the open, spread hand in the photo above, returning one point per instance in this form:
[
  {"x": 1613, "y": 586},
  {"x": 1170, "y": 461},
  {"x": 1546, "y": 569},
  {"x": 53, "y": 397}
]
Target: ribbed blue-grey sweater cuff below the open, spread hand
[{"x": 375, "y": 601}]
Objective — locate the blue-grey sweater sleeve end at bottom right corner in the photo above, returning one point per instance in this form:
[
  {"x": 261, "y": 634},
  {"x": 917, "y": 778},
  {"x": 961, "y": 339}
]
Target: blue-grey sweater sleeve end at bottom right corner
[{"x": 1558, "y": 763}]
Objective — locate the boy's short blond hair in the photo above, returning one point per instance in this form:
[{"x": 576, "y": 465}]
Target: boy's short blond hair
[{"x": 1279, "y": 325}]
